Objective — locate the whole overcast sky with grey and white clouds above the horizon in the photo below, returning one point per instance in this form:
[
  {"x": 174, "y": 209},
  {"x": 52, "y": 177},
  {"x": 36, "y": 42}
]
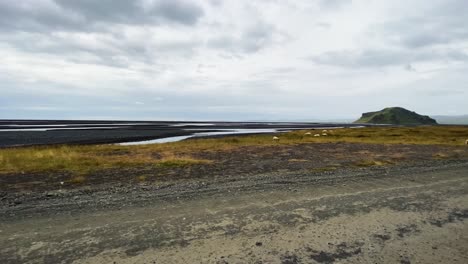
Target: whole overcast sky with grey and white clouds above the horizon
[{"x": 231, "y": 60}]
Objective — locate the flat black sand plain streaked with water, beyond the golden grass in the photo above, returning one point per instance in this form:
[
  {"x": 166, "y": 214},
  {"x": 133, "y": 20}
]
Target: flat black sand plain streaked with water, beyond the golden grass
[{"x": 14, "y": 132}]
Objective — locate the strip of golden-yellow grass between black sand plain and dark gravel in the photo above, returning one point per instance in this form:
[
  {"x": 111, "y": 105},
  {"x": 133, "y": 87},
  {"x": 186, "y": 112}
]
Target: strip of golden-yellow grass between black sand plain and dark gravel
[{"x": 83, "y": 159}]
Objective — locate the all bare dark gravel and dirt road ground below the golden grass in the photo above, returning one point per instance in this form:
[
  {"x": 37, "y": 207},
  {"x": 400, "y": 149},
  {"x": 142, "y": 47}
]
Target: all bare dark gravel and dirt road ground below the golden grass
[{"x": 308, "y": 203}]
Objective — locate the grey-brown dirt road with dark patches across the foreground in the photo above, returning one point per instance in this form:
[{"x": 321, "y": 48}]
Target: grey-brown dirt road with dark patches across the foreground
[{"x": 418, "y": 215}]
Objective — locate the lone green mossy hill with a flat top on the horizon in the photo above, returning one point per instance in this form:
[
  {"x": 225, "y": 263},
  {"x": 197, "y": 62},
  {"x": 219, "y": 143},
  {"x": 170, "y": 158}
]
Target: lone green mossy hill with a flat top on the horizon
[{"x": 395, "y": 116}]
